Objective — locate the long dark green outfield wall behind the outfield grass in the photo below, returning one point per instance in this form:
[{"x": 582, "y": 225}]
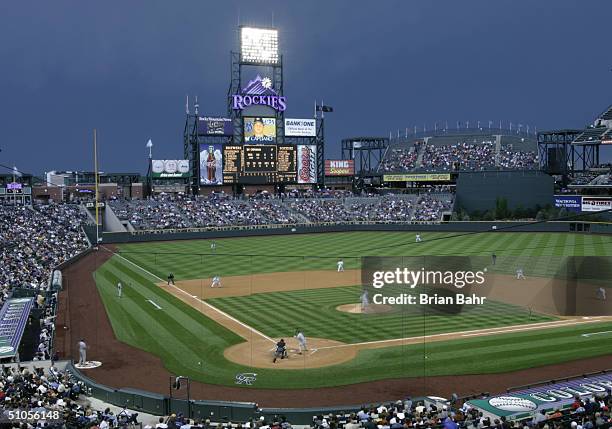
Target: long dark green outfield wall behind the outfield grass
[{"x": 259, "y": 230}]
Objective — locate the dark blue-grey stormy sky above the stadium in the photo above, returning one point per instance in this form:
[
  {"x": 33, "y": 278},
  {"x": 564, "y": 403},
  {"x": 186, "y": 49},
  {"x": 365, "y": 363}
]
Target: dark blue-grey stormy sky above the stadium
[{"x": 125, "y": 68}]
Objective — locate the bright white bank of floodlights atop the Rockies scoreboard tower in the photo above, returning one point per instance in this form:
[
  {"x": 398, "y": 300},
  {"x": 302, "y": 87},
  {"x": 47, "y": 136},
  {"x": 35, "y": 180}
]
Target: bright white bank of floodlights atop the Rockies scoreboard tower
[{"x": 259, "y": 45}]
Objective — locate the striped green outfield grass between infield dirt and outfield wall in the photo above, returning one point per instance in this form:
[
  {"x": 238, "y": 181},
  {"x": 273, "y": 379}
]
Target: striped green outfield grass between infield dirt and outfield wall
[{"x": 537, "y": 253}]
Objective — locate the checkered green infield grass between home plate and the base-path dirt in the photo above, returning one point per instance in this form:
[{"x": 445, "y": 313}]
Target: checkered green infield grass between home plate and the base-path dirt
[{"x": 314, "y": 311}]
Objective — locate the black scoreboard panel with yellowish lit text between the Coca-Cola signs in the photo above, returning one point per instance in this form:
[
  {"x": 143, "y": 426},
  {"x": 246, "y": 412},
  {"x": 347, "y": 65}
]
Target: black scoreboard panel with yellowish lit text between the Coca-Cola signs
[{"x": 259, "y": 164}]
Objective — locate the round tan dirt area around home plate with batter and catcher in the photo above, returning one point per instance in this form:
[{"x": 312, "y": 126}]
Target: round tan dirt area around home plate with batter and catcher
[{"x": 321, "y": 352}]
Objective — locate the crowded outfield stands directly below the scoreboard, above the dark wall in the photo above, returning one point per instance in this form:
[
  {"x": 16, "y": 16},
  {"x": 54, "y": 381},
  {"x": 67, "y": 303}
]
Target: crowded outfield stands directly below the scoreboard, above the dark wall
[{"x": 184, "y": 212}]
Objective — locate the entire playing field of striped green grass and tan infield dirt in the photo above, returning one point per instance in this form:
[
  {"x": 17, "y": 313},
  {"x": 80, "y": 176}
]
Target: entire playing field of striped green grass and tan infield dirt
[{"x": 273, "y": 285}]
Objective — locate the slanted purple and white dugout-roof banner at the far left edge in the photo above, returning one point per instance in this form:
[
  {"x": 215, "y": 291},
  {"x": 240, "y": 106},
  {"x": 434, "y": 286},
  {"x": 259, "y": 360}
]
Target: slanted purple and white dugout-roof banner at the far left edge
[{"x": 13, "y": 319}]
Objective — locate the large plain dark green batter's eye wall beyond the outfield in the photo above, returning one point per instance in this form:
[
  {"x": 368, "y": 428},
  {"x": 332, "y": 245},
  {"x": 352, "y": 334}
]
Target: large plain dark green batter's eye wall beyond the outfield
[{"x": 478, "y": 191}]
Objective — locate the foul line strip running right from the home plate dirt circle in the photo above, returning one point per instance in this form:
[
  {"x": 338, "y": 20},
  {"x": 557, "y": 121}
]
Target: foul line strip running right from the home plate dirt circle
[{"x": 486, "y": 331}]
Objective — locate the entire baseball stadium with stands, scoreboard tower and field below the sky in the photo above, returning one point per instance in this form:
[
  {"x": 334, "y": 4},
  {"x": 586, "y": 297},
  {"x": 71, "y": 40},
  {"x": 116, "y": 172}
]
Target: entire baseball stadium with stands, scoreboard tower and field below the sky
[{"x": 448, "y": 277}]
